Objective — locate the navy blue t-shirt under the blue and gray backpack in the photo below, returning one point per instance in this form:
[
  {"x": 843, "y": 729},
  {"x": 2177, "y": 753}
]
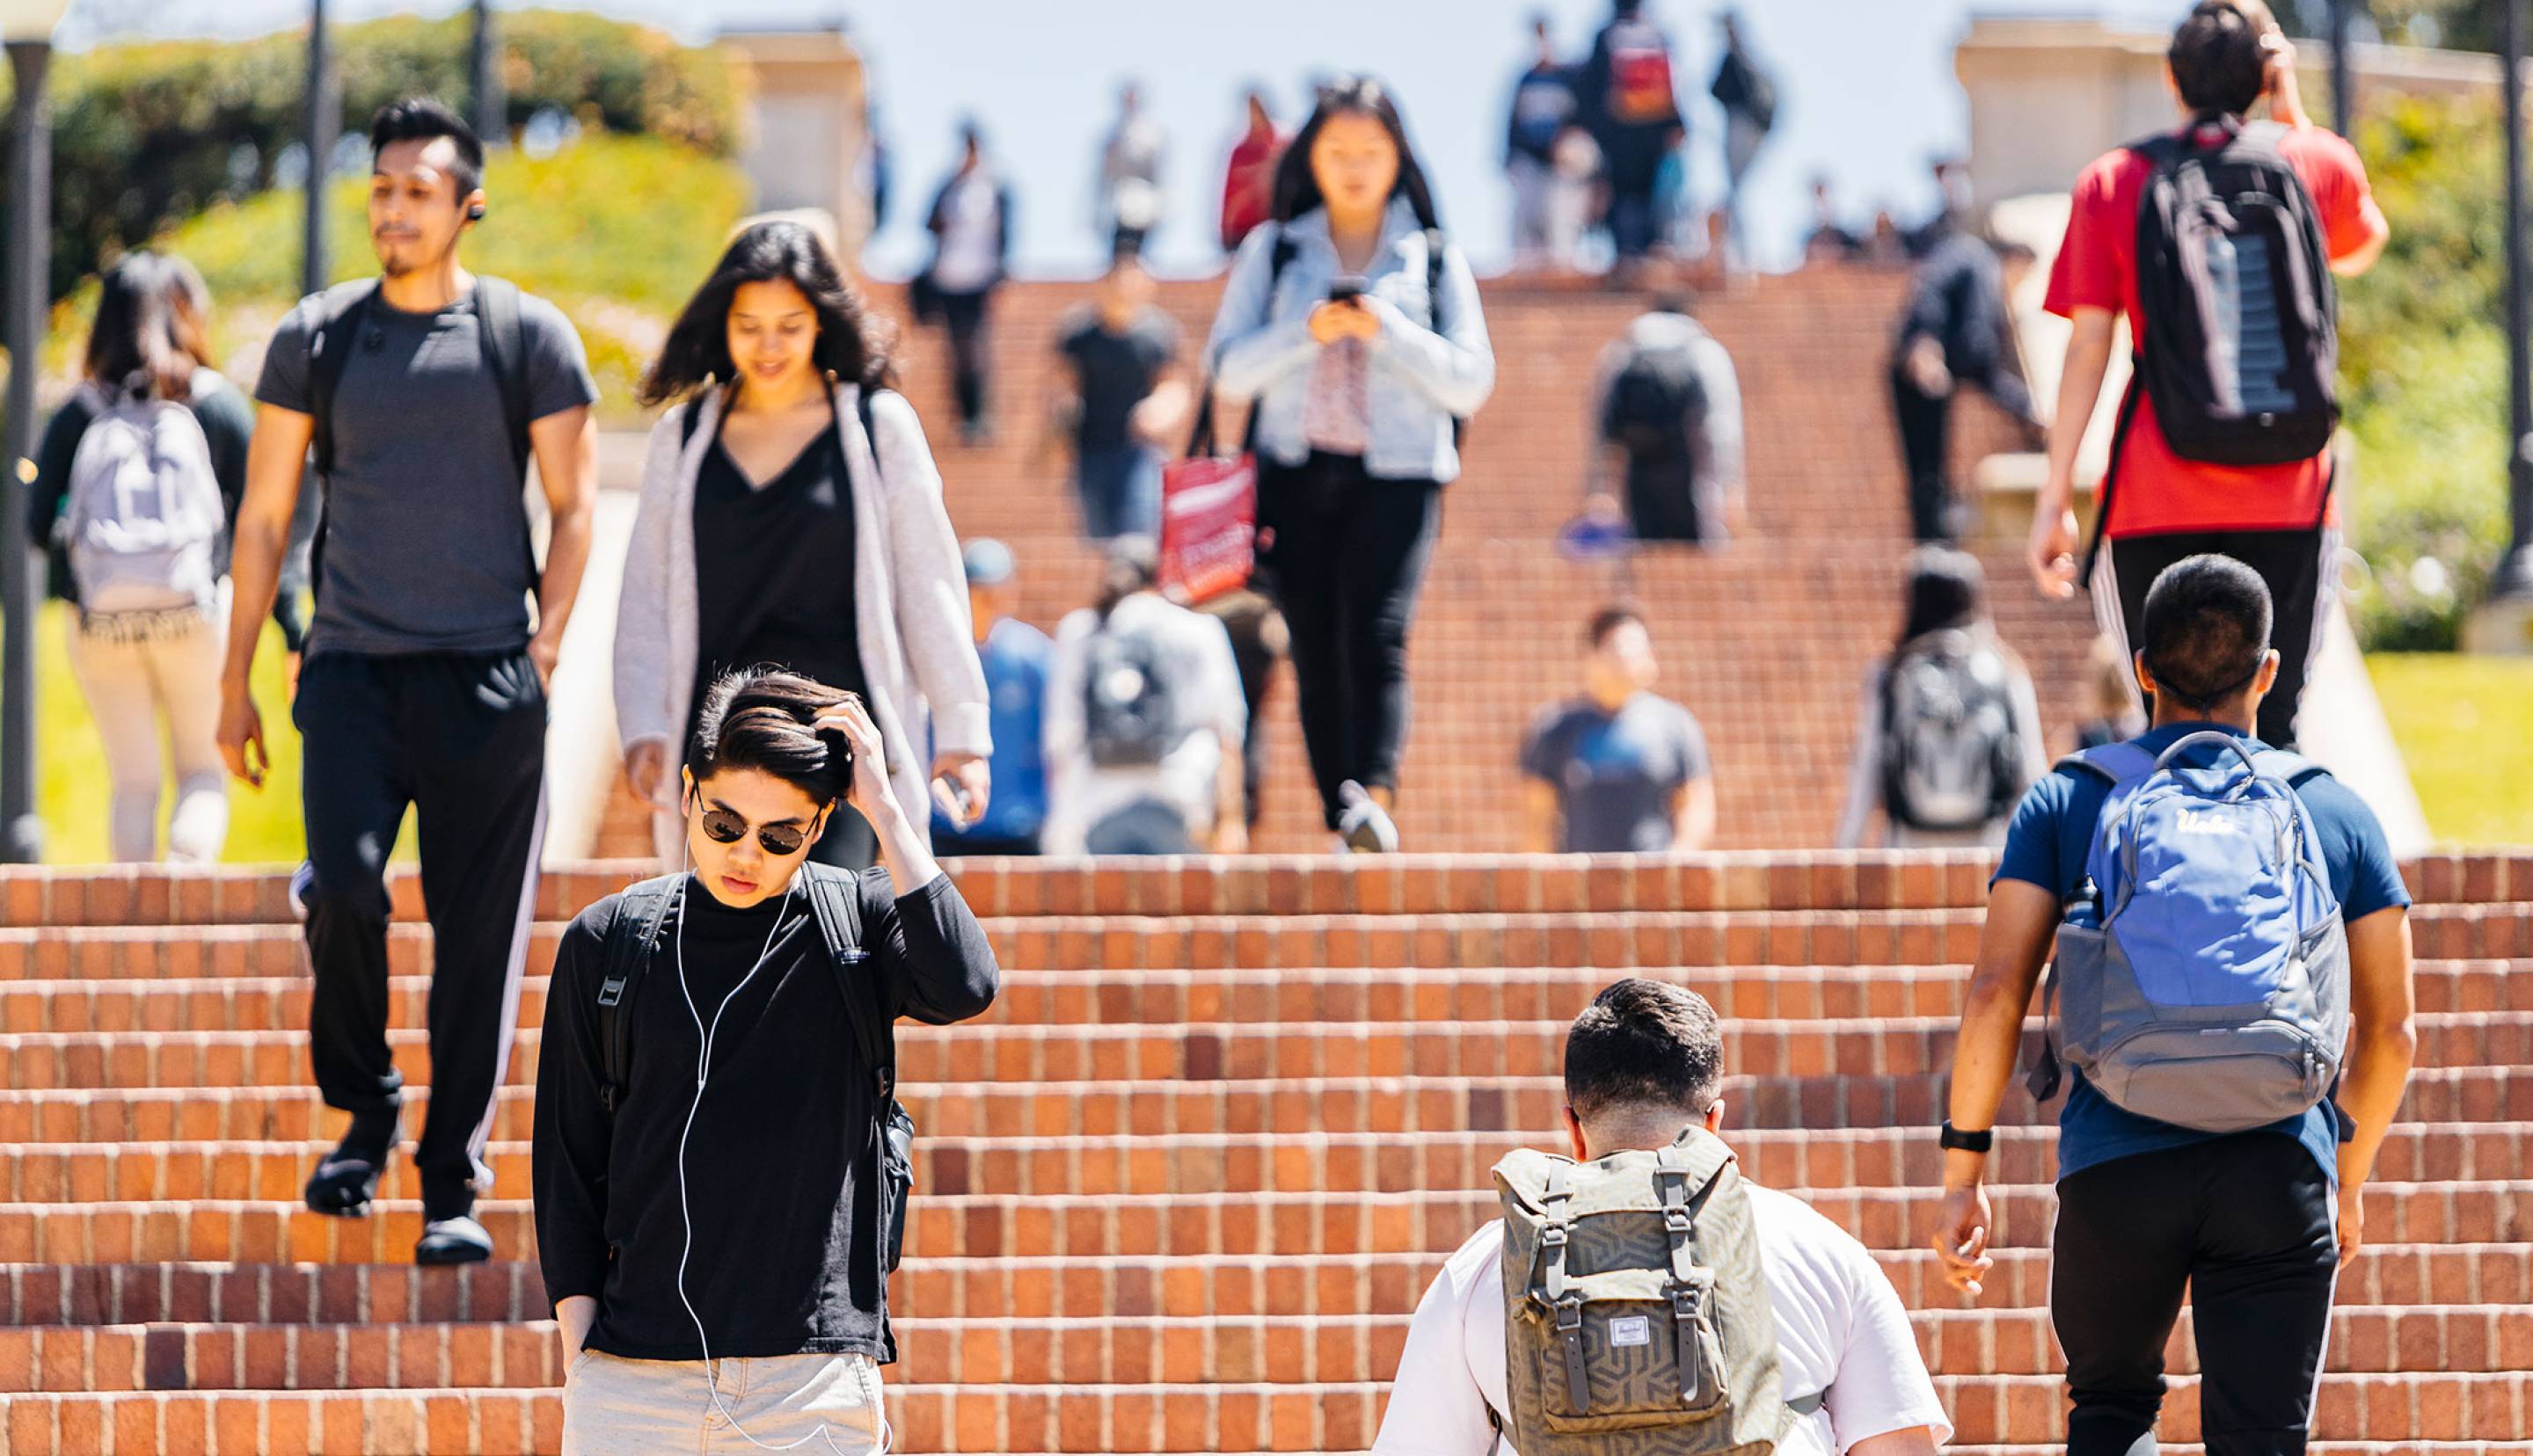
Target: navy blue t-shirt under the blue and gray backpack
[{"x": 2048, "y": 844}]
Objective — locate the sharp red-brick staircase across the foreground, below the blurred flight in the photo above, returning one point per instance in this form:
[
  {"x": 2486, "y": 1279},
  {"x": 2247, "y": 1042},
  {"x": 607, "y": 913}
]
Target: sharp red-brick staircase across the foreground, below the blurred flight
[{"x": 1182, "y": 1189}]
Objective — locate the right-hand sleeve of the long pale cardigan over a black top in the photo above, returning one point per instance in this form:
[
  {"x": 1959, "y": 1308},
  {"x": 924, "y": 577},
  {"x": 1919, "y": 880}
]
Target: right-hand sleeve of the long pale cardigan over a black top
[{"x": 931, "y": 581}]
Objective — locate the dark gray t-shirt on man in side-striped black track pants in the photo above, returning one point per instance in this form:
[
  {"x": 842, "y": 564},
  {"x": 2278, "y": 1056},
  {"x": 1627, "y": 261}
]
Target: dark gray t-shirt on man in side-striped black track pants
[{"x": 427, "y": 518}]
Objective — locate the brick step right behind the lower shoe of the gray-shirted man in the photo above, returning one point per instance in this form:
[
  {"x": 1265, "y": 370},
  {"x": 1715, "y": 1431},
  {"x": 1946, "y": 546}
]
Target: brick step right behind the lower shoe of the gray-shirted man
[{"x": 987, "y": 1227}]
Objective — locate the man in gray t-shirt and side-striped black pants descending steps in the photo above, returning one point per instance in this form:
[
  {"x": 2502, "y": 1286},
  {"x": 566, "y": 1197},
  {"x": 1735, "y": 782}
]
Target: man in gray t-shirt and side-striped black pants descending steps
[{"x": 422, "y": 396}]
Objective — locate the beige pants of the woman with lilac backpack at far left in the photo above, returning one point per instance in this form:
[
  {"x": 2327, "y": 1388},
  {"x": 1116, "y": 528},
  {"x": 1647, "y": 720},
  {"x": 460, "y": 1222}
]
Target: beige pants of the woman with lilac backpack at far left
[{"x": 133, "y": 680}]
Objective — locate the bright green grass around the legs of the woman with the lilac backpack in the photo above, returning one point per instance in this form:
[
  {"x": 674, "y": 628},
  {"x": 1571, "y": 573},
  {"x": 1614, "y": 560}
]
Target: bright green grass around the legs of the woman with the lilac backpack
[{"x": 72, "y": 763}]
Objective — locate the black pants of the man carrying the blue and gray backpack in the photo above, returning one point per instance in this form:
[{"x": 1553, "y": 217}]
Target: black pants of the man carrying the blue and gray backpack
[{"x": 2248, "y": 1227}]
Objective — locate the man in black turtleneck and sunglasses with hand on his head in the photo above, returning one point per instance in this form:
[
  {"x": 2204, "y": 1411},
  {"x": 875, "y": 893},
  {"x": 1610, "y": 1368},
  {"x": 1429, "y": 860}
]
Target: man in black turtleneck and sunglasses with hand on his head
[{"x": 713, "y": 1164}]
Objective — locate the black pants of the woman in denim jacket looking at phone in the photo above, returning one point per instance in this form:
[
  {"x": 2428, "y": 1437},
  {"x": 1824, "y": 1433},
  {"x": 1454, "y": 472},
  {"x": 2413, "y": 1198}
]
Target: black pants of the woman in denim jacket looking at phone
[{"x": 1349, "y": 556}]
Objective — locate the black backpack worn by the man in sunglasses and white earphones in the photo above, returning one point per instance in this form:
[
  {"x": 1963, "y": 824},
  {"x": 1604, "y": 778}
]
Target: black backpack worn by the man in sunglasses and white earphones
[{"x": 835, "y": 900}]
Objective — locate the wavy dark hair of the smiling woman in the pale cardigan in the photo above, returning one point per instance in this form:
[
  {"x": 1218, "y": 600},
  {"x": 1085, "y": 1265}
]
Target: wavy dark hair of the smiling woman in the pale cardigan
[{"x": 852, "y": 343}]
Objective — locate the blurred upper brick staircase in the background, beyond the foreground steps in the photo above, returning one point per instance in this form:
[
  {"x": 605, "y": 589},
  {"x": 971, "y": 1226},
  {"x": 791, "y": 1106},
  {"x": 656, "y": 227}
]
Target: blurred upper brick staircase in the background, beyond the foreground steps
[{"x": 1767, "y": 642}]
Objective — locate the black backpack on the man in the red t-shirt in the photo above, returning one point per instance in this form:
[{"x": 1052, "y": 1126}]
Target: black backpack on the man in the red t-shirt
[{"x": 2240, "y": 348}]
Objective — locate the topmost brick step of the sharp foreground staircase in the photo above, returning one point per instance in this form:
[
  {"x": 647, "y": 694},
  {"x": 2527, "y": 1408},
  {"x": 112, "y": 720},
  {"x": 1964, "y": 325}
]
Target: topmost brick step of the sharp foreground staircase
[{"x": 1202, "y": 885}]
